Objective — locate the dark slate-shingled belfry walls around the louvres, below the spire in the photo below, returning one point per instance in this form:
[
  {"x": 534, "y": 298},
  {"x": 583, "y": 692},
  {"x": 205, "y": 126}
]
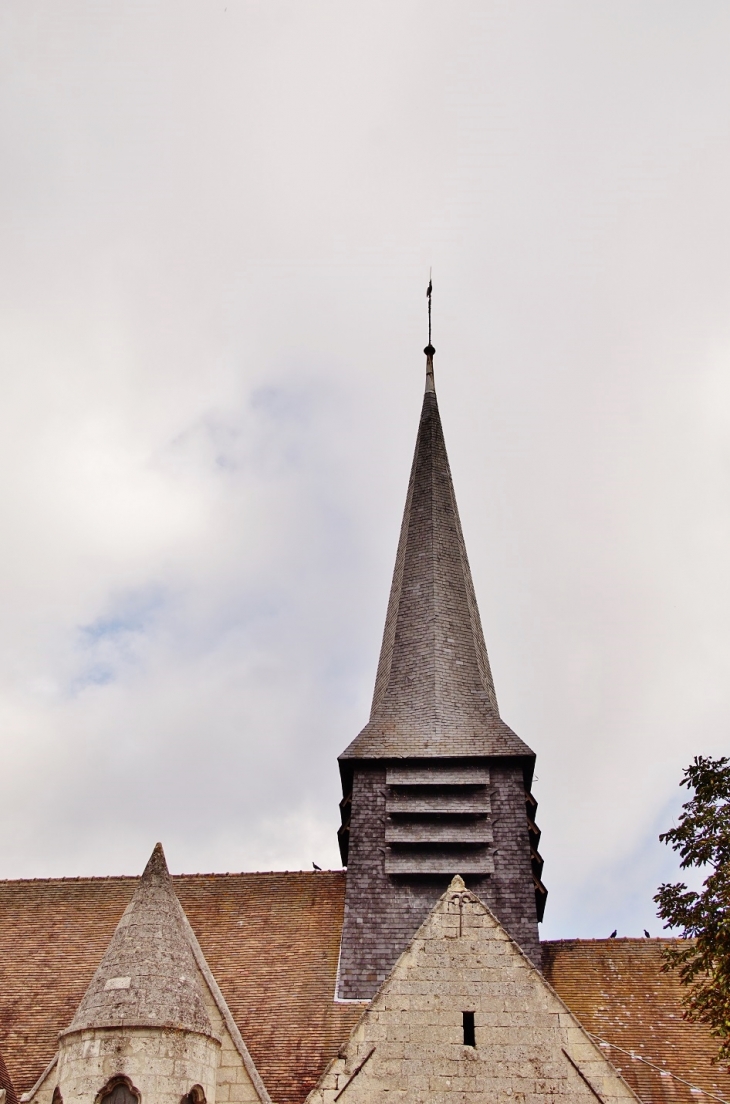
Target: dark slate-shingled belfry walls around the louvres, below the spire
[{"x": 383, "y": 912}]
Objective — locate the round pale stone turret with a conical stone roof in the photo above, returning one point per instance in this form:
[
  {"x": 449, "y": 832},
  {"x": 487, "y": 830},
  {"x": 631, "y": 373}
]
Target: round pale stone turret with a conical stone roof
[{"x": 142, "y": 1025}]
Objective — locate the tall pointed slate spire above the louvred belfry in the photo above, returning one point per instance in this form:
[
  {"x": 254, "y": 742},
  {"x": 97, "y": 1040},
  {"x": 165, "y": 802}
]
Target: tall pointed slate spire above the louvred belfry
[{"x": 435, "y": 693}]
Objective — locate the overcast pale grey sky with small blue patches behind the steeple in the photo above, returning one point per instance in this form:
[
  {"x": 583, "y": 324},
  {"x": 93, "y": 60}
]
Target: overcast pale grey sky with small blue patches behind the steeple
[{"x": 217, "y": 228}]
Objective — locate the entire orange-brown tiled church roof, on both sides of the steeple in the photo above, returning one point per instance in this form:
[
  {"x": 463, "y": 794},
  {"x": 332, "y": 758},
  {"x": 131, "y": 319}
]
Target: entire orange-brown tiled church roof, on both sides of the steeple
[{"x": 272, "y": 941}]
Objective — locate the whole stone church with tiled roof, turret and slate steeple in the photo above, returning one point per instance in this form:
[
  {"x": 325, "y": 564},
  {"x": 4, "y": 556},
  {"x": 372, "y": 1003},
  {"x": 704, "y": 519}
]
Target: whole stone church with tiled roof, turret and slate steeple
[{"x": 416, "y": 974}]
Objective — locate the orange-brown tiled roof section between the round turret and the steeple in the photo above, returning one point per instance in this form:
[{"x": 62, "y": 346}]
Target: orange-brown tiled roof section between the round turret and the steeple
[{"x": 273, "y": 942}]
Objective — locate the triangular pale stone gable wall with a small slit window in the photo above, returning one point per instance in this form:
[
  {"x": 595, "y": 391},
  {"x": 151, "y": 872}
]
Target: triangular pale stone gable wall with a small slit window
[{"x": 411, "y": 1045}]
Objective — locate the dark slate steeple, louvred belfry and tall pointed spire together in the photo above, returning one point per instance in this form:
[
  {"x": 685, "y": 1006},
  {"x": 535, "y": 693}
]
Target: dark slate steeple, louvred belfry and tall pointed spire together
[{"x": 437, "y": 784}]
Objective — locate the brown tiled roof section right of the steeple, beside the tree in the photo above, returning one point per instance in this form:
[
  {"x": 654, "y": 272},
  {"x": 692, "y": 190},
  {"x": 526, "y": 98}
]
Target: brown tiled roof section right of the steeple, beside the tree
[{"x": 619, "y": 993}]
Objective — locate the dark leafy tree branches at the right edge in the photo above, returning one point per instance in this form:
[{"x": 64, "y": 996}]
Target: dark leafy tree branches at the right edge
[{"x": 703, "y": 840}]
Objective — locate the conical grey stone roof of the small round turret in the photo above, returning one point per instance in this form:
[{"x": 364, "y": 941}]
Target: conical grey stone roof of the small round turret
[{"x": 149, "y": 975}]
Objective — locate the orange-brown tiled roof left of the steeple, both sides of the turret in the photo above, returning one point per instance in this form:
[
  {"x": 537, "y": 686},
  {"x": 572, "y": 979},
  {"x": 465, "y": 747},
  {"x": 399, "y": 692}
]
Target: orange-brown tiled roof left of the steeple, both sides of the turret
[{"x": 272, "y": 942}]
